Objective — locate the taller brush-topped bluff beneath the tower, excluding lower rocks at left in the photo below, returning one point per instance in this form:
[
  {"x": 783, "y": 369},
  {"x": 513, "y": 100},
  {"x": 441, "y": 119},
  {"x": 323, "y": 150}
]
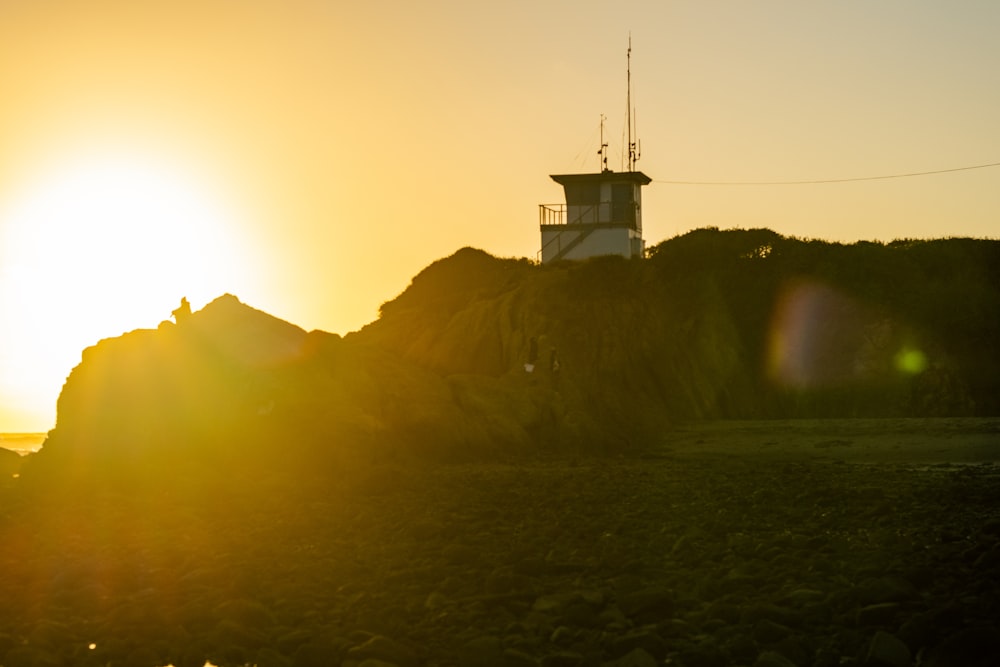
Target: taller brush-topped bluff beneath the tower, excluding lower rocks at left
[{"x": 735, "y": 324}]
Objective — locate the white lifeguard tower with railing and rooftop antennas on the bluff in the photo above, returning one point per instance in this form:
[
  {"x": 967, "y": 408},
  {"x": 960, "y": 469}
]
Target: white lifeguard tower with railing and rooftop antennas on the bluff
[{"x": 603, "y": 211}]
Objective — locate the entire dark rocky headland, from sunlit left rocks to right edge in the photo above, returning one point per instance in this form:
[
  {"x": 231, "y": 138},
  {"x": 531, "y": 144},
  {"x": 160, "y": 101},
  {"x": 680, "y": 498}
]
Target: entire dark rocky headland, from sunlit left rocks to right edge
[{"x": 743, "y": 324}]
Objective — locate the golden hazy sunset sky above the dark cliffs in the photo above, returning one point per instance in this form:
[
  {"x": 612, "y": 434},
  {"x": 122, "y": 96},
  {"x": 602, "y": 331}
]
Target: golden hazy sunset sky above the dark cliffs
[{"x": 312, "y": 156}]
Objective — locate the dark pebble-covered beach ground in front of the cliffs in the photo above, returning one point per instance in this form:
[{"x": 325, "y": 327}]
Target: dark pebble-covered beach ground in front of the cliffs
[{"x": 746, "y": 543}]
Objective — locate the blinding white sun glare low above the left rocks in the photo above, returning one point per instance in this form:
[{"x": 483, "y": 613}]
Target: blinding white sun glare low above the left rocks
[{"x": 99, "y": 246}]
